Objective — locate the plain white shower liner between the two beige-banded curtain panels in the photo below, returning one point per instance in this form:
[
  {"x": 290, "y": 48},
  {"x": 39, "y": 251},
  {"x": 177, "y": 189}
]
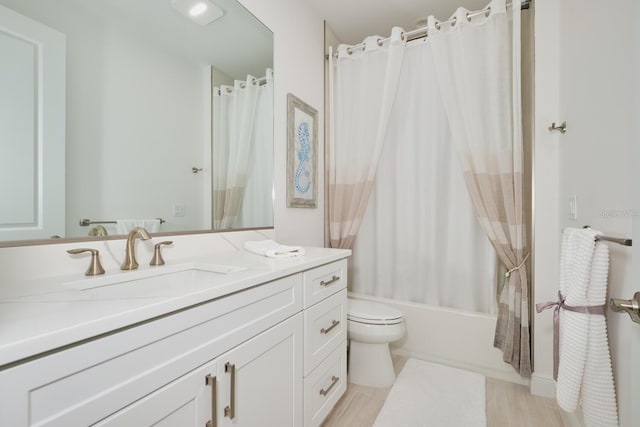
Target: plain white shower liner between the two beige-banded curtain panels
[{"x": 419, "y": 239}]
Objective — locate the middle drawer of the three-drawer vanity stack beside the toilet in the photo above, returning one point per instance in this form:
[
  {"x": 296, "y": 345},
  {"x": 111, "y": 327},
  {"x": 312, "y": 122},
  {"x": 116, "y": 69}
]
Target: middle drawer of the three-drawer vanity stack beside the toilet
[{"x": 325, "y": 326}]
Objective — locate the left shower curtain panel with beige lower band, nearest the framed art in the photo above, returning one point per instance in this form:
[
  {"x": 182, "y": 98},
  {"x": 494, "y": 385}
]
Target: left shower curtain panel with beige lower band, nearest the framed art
[{"x": 367, "y": 85}]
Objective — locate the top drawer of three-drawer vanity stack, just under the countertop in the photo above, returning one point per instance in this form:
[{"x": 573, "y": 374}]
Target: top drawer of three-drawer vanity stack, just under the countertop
[{"x": 323, "y": 281}]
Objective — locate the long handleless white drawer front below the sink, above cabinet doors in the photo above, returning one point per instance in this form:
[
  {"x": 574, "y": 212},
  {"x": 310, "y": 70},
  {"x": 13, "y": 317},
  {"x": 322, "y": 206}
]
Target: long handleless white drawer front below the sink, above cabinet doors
[{"x": 87, "y": 382}]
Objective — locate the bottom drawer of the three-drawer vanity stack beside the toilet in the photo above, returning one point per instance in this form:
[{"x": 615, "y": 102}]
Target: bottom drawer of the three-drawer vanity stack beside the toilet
[{"x": 324, "y": 387}]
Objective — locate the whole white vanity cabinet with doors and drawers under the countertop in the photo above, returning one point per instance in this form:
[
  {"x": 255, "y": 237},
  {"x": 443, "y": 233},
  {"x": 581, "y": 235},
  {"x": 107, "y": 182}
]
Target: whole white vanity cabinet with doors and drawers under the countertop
[{"x": 237, "y": 360}]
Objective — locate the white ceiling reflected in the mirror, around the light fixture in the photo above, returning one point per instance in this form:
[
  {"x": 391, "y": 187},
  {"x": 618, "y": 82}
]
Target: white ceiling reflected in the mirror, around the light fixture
[{"x": 236, "y": 44}]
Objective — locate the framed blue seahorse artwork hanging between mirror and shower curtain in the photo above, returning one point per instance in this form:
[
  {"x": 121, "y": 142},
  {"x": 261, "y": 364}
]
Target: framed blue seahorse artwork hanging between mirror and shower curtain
[{"x": 302, "y": 156}]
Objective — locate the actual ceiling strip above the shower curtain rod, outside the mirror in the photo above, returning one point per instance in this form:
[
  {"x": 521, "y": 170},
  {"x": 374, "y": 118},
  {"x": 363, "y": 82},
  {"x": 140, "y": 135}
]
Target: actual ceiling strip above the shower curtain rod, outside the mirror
[{"x": 353, "y": 20}]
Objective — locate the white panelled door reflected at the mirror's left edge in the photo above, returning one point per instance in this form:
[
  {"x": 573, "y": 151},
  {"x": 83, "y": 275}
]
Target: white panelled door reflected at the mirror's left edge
[{"x": 32, "y": 129}]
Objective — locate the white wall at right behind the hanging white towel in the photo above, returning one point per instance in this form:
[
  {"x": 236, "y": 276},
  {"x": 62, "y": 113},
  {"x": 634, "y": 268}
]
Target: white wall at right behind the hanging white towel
[{"x": 584, "y": 77}]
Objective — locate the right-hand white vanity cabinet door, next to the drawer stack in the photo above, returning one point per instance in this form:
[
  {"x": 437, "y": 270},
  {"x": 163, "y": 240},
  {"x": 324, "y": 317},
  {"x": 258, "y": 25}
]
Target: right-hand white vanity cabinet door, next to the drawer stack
[{"x": 260, "y": 381}]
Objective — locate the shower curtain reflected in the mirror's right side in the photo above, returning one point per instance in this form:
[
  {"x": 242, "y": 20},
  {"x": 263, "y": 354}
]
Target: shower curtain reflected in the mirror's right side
[{"x": 242, "y": 138}]
